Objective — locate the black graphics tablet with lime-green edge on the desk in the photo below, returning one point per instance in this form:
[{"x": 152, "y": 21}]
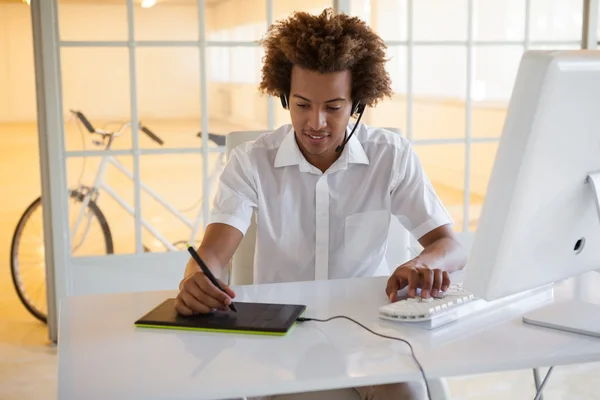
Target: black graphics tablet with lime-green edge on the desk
[{"x": 254, "y": 318}]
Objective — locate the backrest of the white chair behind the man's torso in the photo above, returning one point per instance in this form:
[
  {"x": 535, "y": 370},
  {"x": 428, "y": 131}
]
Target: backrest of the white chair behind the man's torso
[{"x": 242, "y": 264}]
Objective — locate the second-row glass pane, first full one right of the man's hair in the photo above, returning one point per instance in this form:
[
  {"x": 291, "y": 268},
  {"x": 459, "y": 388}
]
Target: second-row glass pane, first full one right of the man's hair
[{"x": 439, "y": 92}]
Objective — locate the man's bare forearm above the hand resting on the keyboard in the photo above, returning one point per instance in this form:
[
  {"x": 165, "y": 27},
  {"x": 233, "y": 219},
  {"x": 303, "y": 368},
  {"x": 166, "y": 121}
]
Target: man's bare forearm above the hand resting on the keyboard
[{"x": 445, "y": 254}]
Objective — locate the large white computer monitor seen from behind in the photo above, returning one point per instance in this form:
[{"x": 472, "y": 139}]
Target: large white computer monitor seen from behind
[{"x": 540, "y": 221}]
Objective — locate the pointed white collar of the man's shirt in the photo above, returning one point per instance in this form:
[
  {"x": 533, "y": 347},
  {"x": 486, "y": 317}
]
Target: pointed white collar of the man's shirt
[{"x": 289, "y": 153}]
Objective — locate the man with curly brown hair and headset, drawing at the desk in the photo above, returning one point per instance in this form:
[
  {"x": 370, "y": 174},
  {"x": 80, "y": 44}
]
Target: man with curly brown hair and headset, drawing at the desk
[{"x": 323, "y": 193}]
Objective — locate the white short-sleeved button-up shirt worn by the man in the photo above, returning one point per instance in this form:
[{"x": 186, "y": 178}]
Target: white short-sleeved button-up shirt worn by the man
[{"x": 314, "y": 225}]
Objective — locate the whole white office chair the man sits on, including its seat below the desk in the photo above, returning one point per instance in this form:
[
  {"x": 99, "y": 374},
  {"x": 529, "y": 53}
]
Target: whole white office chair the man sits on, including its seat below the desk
[{"x": 241, "y": 272}]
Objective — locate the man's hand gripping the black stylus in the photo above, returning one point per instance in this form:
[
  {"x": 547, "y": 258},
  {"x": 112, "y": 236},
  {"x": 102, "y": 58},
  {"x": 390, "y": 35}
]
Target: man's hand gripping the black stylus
[{"x": 197, "y": 295}]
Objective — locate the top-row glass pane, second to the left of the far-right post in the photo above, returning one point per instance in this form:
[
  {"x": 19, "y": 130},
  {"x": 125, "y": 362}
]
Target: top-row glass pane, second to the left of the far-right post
[{"x": 499, "y": 20}]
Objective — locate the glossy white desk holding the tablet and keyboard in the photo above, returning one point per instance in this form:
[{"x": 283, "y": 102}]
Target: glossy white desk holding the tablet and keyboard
[{"x": 102, "y": 355}]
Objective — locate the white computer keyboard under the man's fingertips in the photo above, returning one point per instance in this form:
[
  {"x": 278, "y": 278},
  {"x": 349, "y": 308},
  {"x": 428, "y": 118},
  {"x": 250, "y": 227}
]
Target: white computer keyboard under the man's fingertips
[{"x": 420, "y": 309}]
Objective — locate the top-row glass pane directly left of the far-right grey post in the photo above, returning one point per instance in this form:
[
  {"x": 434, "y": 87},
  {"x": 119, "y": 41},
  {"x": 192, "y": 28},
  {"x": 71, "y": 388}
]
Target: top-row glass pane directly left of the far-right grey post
[{"x": 556, "y": 20}]
